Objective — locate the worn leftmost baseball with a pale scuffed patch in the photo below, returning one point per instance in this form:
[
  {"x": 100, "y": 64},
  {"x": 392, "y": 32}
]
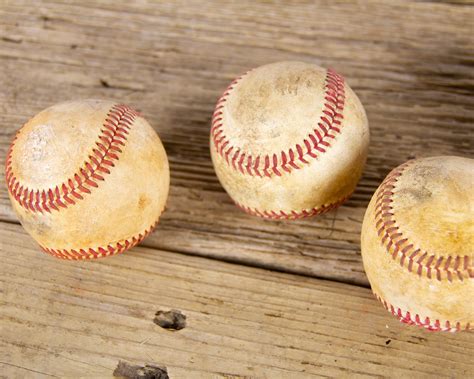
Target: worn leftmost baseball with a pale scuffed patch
[{"x": 87, "y": 179}]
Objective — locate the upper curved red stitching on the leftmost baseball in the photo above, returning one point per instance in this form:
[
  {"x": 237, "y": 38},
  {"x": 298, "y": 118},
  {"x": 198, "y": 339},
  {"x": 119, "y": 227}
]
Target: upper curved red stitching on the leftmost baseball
[{"x": 106, "y": 151}]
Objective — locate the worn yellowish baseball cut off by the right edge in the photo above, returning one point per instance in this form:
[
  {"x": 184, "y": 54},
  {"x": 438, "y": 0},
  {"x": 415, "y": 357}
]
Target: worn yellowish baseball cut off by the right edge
[{"x": 418, "y": 243}]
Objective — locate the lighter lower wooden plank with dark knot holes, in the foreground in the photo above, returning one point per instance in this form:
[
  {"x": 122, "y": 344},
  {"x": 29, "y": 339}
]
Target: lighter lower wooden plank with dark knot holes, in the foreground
[{"x": 79, "y": 319}]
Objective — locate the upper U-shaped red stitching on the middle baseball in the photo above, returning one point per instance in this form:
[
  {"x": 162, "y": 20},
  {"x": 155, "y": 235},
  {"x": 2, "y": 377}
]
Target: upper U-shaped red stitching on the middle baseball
[{"x": 277, "y": 163}]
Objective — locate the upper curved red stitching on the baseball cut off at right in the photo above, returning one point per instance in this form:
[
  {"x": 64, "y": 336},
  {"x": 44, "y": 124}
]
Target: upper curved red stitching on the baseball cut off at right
[{"x": 405, "y": 251}]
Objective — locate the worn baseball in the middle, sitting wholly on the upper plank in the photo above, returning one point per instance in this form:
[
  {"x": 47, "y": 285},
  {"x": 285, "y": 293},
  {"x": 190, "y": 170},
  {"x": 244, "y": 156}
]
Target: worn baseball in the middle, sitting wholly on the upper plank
[{"x": 289, "y": 140}]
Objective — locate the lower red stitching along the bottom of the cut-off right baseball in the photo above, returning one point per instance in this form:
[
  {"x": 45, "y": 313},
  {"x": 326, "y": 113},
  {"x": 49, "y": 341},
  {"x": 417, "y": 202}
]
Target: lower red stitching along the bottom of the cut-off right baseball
[{"x": 425, "y": 322}]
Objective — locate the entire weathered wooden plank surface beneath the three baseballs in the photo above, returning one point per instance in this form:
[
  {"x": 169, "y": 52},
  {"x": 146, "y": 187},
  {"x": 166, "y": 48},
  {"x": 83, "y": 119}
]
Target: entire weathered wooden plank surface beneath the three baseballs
[{"x": 411, "y": 64}]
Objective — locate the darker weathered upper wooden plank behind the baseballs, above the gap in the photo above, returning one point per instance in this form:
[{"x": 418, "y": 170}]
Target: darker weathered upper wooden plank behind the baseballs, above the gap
[{"x": 410, "y": 63}]
